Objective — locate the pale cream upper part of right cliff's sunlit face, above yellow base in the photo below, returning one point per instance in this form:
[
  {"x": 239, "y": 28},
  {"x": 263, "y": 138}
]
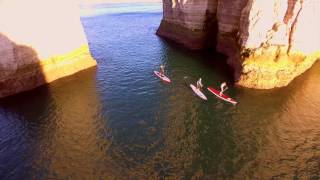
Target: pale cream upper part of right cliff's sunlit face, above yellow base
[{"x": 286, "y": 23}]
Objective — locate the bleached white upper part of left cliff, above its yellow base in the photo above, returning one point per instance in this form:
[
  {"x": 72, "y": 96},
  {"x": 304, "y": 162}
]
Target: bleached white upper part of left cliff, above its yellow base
[{"x": 49, "y": 27}]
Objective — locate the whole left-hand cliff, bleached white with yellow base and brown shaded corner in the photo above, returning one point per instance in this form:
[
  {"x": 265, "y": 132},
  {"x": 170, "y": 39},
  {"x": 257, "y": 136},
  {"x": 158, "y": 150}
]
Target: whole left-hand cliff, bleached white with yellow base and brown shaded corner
[{"x": 40, "y": 41}]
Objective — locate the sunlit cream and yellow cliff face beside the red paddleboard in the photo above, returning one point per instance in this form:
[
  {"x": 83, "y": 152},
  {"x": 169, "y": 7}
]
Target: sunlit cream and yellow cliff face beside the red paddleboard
[{"x": 279, "y": 41}]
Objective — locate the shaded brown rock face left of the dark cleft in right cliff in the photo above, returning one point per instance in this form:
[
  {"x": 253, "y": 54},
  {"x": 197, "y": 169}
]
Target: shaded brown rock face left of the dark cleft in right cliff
[{"x": 188, "y": 22}]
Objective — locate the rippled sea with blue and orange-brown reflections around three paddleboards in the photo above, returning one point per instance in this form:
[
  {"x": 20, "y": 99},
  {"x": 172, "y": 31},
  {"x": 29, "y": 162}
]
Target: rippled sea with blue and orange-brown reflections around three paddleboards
[{"x": 120, "y": 122}]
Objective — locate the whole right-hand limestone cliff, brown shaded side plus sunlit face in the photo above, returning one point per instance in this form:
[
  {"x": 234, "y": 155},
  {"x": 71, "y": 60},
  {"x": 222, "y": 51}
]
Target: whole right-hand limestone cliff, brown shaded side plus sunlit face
[{"x": 268, "y": 43}]
